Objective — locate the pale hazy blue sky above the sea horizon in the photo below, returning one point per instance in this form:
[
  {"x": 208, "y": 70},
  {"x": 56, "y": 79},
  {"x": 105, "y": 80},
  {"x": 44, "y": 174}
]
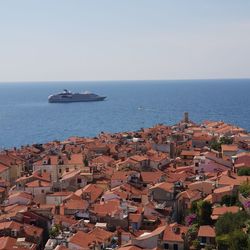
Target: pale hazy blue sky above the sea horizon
[{"x": 78, "y": 40}]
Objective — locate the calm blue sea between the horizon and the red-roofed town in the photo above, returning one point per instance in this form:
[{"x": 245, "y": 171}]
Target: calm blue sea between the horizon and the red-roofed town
[{"x": 26, "y": 117}]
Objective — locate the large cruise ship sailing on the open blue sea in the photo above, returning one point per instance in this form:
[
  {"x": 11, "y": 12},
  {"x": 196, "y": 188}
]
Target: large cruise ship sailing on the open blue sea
[{"x": 67, "y": 96}]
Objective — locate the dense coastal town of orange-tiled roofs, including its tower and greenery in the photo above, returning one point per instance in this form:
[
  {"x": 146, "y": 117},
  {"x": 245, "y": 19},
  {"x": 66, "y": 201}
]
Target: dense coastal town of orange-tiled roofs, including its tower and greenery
[{"x": 182, "y": 186}]
